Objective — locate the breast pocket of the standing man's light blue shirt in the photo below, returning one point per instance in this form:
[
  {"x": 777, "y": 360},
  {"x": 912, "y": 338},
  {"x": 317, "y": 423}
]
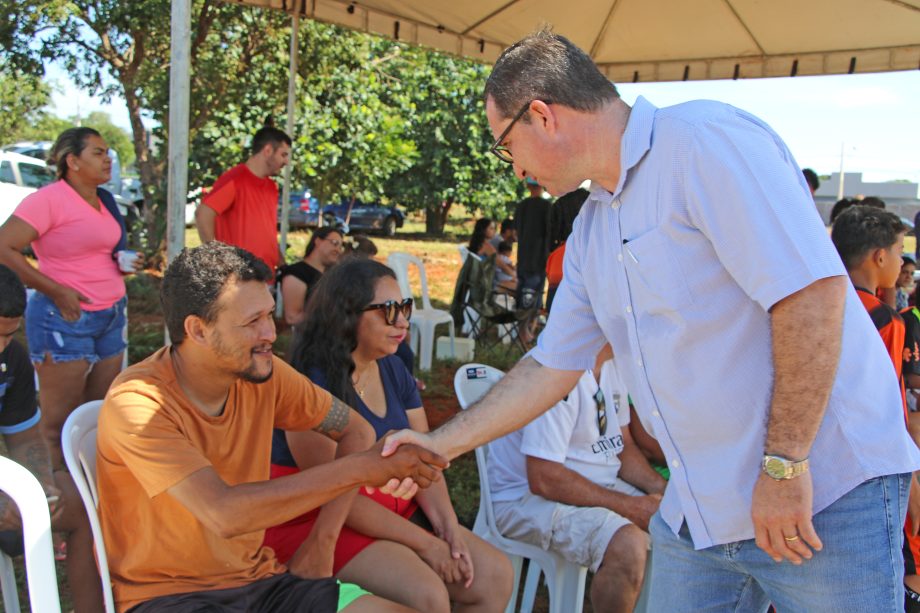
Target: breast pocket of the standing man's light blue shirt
[{"x": 656, "y": 282}]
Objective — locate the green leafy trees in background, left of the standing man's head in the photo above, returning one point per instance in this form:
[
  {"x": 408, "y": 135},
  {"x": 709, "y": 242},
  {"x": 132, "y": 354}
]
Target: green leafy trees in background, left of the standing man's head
[{"x": 376, "y": 119}]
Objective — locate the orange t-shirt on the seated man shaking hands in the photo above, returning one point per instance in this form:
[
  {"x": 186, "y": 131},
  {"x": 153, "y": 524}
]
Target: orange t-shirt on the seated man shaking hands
[{"x": 150, "y": 438}]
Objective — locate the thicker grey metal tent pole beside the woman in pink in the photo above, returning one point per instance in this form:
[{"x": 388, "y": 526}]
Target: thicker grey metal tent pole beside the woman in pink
[{"x": 179, "y": 85}]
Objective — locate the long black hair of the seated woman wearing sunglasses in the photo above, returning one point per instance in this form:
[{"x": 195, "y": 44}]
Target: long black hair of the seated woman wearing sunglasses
[{"x": 330, "y": 330}]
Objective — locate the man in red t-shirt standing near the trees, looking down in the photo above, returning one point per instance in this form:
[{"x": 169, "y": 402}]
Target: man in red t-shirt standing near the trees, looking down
[{"x": 241, "y": 208}]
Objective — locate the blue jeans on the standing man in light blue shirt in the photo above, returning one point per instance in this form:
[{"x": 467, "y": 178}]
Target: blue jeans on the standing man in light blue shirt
[{"x": 859, "y": 569}]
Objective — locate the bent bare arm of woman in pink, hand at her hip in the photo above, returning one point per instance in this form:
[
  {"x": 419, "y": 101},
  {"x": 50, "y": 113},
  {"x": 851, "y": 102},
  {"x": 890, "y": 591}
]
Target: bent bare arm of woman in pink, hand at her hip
[{"x": 15, "y": 235}]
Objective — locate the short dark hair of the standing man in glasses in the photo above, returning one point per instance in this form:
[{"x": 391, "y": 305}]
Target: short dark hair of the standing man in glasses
[{"x": 548, "y": 67}]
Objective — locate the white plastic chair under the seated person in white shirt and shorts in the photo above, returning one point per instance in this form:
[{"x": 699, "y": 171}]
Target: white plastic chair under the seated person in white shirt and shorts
[{"x": 566, "y": 581}]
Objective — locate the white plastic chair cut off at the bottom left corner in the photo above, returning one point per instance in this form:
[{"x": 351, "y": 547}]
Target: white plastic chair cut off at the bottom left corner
[{"x": 41, "y": 577}]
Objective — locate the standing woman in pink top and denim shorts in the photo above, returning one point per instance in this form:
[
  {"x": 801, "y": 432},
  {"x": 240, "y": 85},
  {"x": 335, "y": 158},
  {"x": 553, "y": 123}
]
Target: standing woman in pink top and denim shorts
[{"x": 75, "y": 320}]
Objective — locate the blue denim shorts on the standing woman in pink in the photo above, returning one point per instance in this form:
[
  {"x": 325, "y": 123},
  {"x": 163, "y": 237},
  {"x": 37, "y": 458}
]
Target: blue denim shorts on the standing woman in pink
[{"x": 97, "y": 335}]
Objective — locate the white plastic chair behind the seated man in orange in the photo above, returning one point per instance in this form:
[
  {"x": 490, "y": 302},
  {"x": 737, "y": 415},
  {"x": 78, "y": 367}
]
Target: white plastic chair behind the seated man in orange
[{"x": 79, "y": 448}]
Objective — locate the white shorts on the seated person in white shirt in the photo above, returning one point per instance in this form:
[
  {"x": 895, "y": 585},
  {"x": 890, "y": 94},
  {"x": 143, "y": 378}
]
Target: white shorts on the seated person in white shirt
[{"x": 578, "y": 534}]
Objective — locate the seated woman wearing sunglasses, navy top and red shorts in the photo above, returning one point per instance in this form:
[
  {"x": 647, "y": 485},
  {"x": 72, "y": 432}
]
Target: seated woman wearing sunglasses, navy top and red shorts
[{"x": 413, "y": 552}]
